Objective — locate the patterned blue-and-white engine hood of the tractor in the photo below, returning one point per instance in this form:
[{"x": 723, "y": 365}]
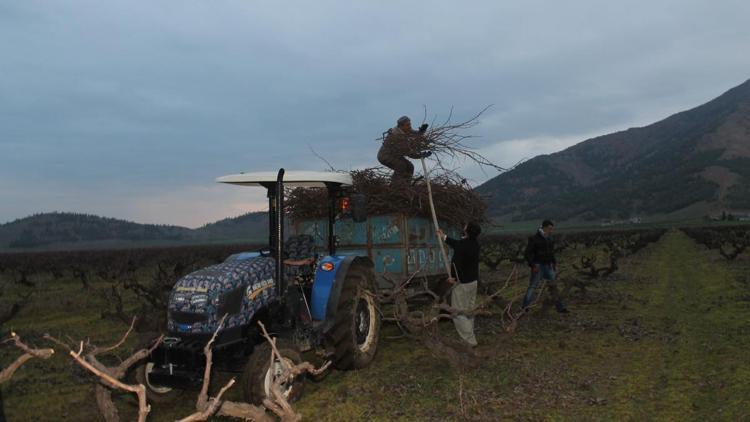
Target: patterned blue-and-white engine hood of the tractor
[{"x": 238, "y": 288}]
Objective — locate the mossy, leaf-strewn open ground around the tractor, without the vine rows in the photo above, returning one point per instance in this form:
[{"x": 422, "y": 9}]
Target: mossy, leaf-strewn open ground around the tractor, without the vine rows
[{"x": 665, "y": 338}]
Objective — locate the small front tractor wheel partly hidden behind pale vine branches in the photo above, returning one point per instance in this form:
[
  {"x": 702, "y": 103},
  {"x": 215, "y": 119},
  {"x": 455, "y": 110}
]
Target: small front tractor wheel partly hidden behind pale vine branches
[{"x": 259, "y": 374}]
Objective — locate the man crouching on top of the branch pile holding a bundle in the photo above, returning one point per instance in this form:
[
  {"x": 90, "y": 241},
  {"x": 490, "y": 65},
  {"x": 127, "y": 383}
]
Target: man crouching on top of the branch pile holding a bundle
[{"x": 401, "y": 142}]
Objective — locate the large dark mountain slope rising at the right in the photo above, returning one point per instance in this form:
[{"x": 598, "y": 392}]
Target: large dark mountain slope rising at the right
[{"x": 691, "y": 164}]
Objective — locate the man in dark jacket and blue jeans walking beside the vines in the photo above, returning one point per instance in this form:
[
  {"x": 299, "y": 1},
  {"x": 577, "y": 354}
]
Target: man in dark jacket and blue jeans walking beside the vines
[{"x": 540, "y": 256}]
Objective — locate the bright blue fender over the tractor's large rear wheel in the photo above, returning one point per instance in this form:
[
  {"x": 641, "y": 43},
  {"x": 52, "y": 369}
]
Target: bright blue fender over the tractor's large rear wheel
[{"x": 328, "y": 284}]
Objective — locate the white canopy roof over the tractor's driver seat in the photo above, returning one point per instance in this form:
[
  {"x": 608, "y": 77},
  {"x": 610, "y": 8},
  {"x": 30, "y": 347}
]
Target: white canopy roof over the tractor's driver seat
[{"x": 294, "y": 179}]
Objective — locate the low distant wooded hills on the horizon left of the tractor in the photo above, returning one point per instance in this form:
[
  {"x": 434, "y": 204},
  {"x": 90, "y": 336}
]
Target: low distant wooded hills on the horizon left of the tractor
[{"x": 59, "y": 230}]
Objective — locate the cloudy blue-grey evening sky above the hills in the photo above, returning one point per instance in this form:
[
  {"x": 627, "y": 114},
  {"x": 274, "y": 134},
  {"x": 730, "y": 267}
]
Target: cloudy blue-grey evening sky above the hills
[{"x": 131, "y": 109}]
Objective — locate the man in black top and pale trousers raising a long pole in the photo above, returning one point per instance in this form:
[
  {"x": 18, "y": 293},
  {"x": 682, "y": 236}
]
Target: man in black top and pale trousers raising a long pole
[{"x": 465, "y": 272}]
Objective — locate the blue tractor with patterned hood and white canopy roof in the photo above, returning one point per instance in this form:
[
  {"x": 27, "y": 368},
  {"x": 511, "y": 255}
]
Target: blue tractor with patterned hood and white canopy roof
[{"x": 322, "y": 302}]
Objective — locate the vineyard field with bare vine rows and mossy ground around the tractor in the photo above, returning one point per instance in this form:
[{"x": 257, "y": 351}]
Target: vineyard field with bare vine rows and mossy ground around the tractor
[{"x": 659, "y": 330}]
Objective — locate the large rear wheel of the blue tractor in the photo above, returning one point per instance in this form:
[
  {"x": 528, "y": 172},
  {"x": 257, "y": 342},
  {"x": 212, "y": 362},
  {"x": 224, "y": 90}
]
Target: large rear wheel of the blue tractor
[{"x": 356, "y": 327}]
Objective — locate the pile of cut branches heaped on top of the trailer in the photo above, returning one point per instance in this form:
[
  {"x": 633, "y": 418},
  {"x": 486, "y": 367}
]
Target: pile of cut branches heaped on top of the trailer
[{"x": 456, "y": 202}]
